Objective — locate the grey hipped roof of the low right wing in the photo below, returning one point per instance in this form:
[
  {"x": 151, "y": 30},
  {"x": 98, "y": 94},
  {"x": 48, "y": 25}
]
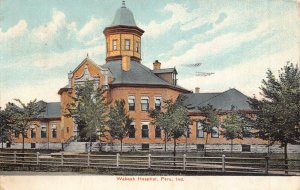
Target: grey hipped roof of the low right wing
[{"x": 222, "y": 101}]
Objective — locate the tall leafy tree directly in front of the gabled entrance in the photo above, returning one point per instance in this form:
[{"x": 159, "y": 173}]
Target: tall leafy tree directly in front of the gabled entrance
[{"x": 89, "y": 110}]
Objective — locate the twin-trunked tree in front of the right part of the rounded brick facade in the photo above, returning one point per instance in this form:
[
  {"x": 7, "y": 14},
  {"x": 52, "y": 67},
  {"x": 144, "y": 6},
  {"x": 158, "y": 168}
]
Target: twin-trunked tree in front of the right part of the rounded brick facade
[{"x": 174, "y": 120}]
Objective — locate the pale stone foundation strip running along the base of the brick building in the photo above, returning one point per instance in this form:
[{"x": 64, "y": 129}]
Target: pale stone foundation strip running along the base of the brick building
[{"x": 180, "y": 147}]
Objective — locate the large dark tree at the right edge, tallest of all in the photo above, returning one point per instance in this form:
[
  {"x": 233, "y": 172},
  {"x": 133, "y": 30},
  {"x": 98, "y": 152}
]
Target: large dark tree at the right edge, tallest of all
[{"x": 278, "y": 113}]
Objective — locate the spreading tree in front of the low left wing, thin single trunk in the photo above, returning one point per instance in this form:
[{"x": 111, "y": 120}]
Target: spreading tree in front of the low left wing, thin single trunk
[{"x": 23, "y": 115}]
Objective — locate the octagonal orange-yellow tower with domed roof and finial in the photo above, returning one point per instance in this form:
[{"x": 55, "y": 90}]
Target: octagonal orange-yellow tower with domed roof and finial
[{"x": 123, "y": 38}]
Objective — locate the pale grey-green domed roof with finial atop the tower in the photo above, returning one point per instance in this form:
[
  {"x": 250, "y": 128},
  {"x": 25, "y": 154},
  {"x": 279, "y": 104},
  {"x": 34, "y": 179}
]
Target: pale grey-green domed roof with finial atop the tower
[{"x": 123, "y": 17}]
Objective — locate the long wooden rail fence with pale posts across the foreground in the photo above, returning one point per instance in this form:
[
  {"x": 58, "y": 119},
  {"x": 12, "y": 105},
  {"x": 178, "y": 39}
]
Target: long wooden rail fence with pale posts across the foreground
[{"x": 260, "y": 166}]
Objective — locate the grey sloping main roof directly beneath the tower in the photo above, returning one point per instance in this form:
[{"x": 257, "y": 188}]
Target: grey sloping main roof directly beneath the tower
[{"x": 137, "y": 75}]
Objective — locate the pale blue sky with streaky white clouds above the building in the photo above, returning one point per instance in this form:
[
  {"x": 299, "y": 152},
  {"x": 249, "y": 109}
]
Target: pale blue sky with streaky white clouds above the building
[{"x": 41, "y": 41}]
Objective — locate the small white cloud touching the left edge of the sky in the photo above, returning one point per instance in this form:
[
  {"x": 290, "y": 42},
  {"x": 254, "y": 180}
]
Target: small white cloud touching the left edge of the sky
[{"x": 15, "y": 31}]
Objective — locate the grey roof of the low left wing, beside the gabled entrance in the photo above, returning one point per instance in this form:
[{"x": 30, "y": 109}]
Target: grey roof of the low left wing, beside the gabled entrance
[{"x": 51, "y": 109}]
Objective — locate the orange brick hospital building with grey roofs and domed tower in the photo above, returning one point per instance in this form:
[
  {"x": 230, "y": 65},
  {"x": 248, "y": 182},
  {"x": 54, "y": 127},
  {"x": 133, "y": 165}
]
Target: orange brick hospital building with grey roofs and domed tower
[{"x": 125, "y": 77}]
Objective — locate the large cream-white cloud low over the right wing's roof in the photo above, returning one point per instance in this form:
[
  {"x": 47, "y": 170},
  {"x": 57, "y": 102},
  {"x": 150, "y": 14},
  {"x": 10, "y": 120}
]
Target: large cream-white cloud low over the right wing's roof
[{"x": 246, "y": 76}]
